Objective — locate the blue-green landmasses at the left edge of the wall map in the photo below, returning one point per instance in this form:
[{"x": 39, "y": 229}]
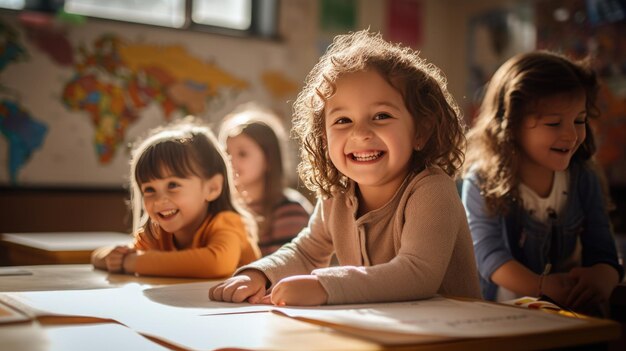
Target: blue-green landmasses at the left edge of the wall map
[{"x": 24, "y": 133}]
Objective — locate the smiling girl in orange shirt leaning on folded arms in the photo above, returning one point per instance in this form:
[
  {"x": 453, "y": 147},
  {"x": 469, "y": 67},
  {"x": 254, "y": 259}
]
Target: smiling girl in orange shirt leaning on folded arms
[{"x": 190, "y": 224}]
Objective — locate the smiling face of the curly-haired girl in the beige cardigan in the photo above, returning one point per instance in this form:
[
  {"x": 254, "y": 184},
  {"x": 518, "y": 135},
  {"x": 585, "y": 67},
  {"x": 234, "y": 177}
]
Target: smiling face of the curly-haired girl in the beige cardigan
[{"x": 370, "y": 133}]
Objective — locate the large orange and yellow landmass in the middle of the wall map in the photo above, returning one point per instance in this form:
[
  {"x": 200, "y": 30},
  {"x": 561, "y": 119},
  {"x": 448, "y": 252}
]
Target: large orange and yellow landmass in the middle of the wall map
[{"x": 115, "y": 81}]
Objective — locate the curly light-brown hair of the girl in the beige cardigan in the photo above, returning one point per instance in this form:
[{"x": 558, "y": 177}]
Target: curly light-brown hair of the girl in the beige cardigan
[{"x": 422, "y": 85}]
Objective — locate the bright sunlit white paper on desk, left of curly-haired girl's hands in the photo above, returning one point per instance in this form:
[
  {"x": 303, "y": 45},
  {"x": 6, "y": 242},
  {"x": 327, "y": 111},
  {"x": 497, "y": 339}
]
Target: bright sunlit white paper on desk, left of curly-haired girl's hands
[{"x": 176, "y": 314}]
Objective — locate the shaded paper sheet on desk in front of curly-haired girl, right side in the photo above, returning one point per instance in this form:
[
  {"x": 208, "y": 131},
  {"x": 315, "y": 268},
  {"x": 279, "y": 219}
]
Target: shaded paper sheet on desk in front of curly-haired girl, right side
[{"x": 437, "y": 316}]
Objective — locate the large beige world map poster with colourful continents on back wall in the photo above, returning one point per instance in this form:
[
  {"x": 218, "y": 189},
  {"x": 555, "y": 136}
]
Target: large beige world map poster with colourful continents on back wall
[{"x": 74, "y": 99}]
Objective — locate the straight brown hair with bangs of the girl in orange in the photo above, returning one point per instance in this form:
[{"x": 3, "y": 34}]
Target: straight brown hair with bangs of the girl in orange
[{"x": 184, "y": 148}]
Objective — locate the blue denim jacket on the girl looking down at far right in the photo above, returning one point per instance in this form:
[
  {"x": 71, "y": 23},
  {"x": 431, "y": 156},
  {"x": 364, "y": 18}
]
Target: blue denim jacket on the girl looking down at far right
[{"x": 498, "y": 239}]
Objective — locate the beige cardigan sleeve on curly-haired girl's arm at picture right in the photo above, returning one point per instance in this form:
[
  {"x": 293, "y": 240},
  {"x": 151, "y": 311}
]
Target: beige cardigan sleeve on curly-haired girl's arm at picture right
[{"x": 433, "y": 235}]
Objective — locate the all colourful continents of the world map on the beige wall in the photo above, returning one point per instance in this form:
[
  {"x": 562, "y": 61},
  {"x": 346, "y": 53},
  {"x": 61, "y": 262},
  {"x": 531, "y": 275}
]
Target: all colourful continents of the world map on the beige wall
[{"x": 113, "y": 80}]
